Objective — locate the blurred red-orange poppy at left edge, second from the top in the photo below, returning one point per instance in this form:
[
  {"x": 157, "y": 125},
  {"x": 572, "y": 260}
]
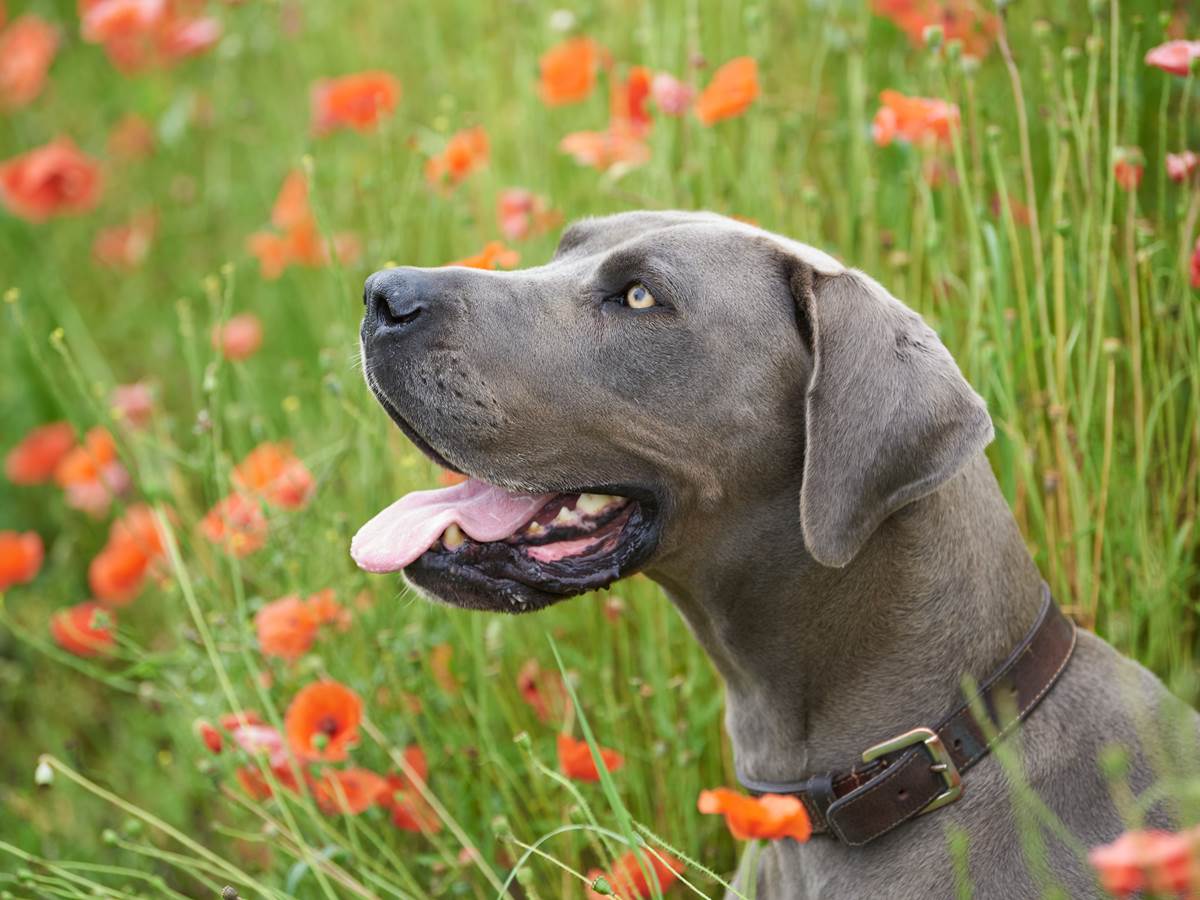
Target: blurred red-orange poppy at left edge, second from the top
[{"x": 52, "y": 181}]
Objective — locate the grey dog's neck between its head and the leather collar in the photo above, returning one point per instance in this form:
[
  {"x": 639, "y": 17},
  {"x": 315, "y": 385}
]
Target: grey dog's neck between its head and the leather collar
[{"x": 823, "y": 663}]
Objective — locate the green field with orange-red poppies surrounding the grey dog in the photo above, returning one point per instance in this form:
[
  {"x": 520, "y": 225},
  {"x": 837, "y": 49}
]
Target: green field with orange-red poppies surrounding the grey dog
[{"x": 199, "y": 688}]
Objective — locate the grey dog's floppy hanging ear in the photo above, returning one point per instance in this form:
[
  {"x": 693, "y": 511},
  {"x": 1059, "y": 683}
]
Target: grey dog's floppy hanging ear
[{"x": 890, "y": 417}]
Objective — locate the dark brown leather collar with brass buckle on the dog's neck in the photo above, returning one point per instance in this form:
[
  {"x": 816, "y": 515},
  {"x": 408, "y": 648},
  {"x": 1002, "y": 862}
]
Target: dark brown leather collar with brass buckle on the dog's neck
[{"x": 922, "y": 770}]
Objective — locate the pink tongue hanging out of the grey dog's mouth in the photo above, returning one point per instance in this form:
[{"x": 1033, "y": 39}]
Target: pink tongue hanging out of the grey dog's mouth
[{"x": 410, "y": 527}]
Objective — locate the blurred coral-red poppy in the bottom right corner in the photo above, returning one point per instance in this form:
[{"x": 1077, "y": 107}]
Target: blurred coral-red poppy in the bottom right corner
[{"x": 1162, "y": 863}]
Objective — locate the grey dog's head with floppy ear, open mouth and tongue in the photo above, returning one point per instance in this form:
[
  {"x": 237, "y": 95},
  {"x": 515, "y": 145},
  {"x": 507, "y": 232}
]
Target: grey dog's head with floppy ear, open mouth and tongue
[{"x": 661, "y": 371}]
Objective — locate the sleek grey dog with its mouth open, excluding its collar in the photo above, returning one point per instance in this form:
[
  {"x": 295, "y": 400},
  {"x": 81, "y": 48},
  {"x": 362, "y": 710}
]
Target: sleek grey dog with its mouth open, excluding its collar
[{"x": 799, "y": 461}]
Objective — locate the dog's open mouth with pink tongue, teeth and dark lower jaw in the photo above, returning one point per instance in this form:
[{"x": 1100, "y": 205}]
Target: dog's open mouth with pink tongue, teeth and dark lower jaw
[{"x": 481, "y": 547}]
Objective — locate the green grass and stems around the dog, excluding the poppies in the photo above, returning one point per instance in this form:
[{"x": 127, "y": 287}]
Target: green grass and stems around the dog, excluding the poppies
[{"x": 1081, "y": 329}]
